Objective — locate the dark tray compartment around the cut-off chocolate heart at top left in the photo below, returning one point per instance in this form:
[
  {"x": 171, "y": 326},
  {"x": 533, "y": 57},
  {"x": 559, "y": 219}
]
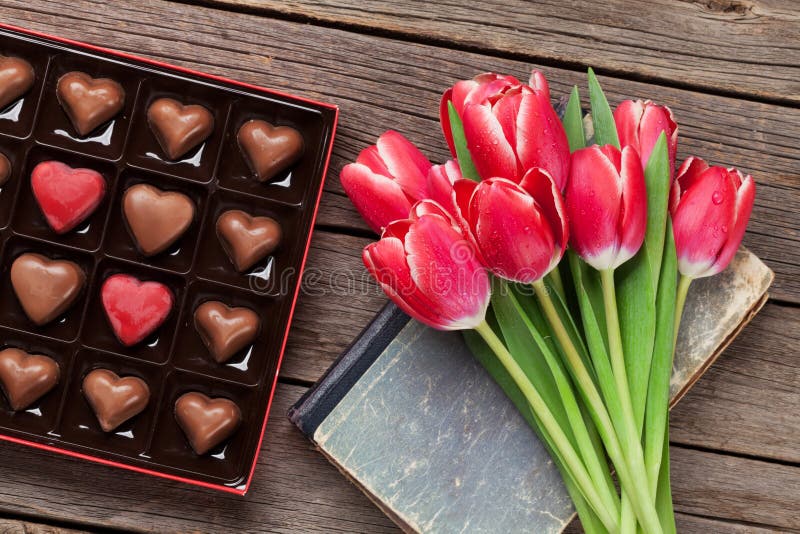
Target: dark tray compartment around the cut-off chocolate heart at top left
[{"x": 17, "y": 118}]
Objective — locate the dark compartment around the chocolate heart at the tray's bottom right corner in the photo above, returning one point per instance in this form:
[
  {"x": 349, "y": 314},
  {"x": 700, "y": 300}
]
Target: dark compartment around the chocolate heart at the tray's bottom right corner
[{"x": 225, "y": 463}]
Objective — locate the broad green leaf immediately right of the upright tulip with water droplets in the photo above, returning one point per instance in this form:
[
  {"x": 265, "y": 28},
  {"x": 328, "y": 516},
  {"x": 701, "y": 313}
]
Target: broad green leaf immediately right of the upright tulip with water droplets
[{"x": 637, "y": 282}]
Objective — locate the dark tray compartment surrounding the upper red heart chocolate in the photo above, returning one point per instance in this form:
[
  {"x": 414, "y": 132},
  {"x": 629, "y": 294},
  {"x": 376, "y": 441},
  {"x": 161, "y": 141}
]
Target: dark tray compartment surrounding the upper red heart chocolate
[{"x": 28, "y": 218}]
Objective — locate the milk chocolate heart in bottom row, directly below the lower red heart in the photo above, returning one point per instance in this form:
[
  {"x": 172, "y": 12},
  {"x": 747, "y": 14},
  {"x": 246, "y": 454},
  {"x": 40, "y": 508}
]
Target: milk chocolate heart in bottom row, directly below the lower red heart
[{"x": 114, "y": 399}]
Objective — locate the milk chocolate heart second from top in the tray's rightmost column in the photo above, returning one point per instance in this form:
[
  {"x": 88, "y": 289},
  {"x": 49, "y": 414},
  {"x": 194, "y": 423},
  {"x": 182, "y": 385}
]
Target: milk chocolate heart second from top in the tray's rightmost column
[{"x": 246, "y": 239}]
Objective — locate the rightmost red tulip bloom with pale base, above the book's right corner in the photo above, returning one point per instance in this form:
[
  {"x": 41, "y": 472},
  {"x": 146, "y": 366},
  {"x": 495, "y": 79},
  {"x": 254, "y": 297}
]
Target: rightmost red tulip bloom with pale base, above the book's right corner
[{"x": 710, "y": 207}]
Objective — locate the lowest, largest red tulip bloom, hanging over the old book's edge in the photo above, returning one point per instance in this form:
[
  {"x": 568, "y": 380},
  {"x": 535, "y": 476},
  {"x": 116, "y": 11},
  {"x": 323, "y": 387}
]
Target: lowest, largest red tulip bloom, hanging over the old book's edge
[{"x": 427, "y": 267}]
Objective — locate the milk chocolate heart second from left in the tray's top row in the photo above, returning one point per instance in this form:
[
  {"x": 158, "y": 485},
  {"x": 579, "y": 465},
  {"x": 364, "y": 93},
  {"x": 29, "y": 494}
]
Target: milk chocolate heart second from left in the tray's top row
[{"x": 89, "y": 102}]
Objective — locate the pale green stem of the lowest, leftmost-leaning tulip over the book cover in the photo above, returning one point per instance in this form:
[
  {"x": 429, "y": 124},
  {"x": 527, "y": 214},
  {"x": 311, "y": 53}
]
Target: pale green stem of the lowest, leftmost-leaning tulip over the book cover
[{"x": 548, "y": 421}]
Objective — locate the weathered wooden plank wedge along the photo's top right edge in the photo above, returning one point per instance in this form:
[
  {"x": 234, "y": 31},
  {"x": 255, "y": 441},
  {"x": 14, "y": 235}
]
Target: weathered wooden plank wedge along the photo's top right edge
[{"x": 743, "y": 47}]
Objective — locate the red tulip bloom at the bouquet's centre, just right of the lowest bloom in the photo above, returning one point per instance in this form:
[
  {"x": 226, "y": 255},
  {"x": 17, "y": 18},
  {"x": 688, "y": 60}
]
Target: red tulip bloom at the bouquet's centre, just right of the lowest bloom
[{"x": 521, "y": 230}]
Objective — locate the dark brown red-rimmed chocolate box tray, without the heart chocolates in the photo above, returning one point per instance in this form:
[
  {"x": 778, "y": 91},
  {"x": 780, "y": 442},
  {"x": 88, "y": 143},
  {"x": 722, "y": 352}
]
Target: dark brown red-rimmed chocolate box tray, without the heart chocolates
[{"x": 196, "y": 269}]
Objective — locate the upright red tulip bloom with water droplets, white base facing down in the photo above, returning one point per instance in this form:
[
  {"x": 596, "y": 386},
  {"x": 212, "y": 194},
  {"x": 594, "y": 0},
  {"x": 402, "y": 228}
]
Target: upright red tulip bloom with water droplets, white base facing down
[{"x": 606, "y": 205}]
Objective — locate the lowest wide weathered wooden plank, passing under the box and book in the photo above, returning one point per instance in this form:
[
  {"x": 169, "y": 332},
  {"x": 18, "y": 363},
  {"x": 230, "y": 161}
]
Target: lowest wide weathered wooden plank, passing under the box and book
[{"x": 296, "y": 489}]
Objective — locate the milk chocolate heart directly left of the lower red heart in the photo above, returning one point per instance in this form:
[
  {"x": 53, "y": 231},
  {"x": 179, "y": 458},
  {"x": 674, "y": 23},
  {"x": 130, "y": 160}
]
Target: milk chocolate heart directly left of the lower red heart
[{"x": 45, "y": 288}]
